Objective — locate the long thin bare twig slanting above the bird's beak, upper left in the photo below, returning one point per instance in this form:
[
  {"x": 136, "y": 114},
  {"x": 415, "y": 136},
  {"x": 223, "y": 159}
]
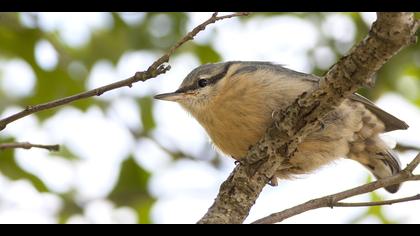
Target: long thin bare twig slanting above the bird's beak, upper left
[{"x": 158, "y": 67}]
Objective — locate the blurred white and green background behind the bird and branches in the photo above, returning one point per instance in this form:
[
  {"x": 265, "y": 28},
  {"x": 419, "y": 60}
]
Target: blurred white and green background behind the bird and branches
[{"x": 126, "y": 158}]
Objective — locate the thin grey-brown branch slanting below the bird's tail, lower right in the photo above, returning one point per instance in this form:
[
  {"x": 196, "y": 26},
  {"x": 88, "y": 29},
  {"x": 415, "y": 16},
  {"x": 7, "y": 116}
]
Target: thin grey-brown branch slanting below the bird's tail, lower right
[{"x": 332, "y": 200}]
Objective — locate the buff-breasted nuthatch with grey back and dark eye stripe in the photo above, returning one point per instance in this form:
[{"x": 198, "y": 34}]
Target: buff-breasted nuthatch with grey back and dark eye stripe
[{"x": 234, "y": 102}]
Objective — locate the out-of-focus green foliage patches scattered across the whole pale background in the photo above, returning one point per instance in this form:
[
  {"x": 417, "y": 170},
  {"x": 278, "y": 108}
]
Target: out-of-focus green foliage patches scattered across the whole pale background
[{"x": 18, "y": 41}]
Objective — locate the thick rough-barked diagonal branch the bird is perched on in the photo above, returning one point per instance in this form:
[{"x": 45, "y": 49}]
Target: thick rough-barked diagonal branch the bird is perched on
[{"x": 389, "y": 34}]
